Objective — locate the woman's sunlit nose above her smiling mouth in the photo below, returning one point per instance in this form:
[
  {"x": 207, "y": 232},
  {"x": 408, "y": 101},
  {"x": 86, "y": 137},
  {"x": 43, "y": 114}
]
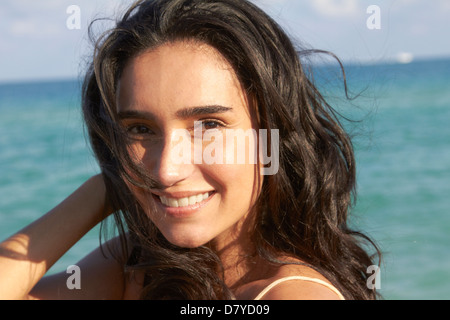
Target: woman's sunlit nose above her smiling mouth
[{"x": 172, "y": 163}]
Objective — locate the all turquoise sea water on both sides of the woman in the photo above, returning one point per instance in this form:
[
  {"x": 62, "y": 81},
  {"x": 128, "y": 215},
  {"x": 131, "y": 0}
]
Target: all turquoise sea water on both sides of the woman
[{"x": 402, "y": 142}]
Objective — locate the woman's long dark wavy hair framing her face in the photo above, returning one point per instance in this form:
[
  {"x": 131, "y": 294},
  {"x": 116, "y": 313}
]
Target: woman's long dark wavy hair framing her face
[{"x": 302, "y": 210}]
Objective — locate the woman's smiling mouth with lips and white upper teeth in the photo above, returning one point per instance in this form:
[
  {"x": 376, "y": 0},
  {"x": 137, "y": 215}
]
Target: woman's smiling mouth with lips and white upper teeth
[{"x": 182, "y": 205}]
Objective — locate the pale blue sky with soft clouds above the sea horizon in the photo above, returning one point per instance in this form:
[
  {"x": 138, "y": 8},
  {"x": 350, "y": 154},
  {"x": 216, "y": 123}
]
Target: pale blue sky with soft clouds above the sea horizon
[{"x": 35, "y": 42}]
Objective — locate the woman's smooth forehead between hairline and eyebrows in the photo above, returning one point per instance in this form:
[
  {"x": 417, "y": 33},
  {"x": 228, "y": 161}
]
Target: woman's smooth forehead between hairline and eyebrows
[{"x": 177, "y": 75}]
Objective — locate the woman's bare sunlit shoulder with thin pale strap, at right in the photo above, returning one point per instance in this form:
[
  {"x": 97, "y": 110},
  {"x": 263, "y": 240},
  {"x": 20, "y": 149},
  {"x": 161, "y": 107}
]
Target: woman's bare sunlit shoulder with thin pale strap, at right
[{"x": 298, "y": 282}]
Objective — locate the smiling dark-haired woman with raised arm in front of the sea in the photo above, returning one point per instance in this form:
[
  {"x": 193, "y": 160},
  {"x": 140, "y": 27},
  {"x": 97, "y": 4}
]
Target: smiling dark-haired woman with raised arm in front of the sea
[{"x": 194, "y": 70}]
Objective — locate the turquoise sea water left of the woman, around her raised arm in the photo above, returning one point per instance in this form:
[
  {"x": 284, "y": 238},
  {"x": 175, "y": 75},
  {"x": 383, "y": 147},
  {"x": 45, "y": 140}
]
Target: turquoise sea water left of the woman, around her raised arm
[{"x": 44, "y": 155}]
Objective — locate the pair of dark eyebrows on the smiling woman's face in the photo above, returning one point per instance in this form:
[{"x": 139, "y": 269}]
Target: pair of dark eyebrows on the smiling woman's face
[{"x": 183, "y": 113}]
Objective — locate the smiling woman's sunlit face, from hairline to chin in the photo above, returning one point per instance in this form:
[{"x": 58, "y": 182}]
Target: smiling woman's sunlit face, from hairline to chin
[{"x": 206, "y": 191}]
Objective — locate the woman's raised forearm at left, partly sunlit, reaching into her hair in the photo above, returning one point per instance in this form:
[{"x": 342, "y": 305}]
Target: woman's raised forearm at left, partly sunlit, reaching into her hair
[{"x": 27, "y": 255}]
